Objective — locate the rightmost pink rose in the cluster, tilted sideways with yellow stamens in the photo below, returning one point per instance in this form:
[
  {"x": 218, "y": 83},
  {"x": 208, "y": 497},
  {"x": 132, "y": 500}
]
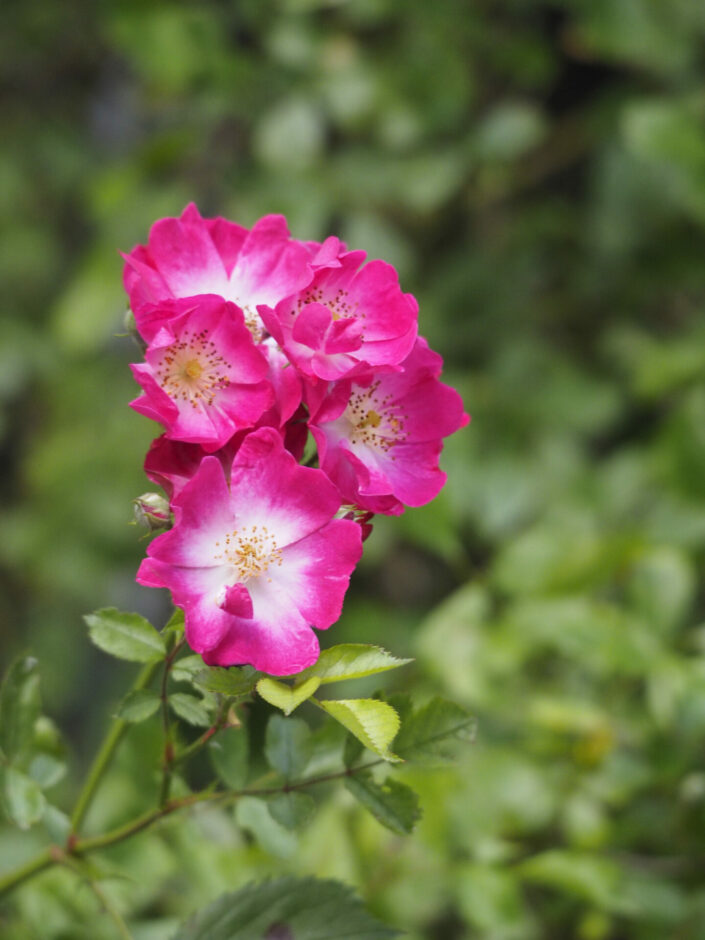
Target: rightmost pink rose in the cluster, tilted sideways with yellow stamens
[{"x": 379, "y": 436}]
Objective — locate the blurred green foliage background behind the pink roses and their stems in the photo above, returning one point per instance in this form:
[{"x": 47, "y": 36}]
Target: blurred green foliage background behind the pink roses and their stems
[{"x": 536, "y": 172}]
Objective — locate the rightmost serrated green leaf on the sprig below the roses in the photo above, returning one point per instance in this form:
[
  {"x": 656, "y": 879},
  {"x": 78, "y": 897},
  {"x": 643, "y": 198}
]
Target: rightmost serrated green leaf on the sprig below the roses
[{"x": 431, "y": 733}]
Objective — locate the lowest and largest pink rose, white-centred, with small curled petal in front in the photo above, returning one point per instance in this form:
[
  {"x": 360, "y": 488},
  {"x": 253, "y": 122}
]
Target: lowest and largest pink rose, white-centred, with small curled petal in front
[{"x": 257, "y": 564}]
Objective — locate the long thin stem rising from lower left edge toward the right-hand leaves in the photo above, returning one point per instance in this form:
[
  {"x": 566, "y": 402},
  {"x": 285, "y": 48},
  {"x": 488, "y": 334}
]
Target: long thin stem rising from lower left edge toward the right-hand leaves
[{"x": 80, "y": 847}]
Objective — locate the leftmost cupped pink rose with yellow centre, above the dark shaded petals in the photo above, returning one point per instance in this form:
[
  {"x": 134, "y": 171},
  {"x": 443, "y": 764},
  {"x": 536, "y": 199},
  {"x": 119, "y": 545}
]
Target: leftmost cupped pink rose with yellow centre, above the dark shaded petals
[{"x": 203, "y": 378}]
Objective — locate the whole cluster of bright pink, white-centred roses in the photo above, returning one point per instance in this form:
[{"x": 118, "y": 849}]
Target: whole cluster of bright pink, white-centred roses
[{"x": 252, "y": 340}]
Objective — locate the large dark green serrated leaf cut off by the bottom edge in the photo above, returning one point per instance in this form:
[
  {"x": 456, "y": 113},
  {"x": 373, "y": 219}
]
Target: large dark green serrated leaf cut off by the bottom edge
[{"x": 304, "y": 908}]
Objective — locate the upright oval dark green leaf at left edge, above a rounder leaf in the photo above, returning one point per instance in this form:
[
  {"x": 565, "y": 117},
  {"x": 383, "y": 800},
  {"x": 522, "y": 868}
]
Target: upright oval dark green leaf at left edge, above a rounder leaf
[{"x": 19, "y": 708}]
